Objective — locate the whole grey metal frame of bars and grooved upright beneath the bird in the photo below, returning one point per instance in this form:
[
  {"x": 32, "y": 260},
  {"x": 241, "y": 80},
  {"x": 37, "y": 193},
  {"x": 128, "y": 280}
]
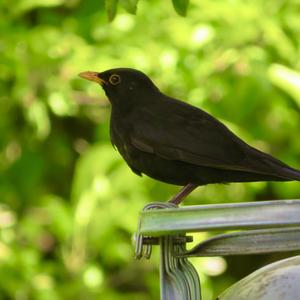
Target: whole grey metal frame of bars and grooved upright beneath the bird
[{"x": 260, "y": 227}]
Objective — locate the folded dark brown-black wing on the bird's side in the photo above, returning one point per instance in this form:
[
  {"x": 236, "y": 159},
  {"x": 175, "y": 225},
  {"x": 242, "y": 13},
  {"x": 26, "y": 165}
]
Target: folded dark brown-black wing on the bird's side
[{"x": 191, "y": 135}]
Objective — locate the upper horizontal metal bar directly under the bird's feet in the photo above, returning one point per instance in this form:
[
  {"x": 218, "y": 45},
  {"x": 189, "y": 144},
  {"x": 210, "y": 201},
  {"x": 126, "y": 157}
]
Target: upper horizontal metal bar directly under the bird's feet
[{"x": 267, "y": 214}]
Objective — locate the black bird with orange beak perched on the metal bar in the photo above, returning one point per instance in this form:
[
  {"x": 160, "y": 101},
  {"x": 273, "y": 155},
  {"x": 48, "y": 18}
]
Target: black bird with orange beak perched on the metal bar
[{"x": 175, "y": 142}]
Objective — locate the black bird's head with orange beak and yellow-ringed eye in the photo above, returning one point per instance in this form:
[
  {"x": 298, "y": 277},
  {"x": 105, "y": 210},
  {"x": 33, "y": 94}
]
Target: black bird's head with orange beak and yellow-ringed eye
[{"x": 123, "y": 86}]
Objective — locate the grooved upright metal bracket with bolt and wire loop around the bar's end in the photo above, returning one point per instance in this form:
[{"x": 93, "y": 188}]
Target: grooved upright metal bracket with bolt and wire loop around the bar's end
[{"x": 178, "y": 278}]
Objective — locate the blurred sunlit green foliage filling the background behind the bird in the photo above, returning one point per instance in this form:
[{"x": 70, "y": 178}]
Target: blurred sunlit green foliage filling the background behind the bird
[{"x": 69, "y": 204}]
